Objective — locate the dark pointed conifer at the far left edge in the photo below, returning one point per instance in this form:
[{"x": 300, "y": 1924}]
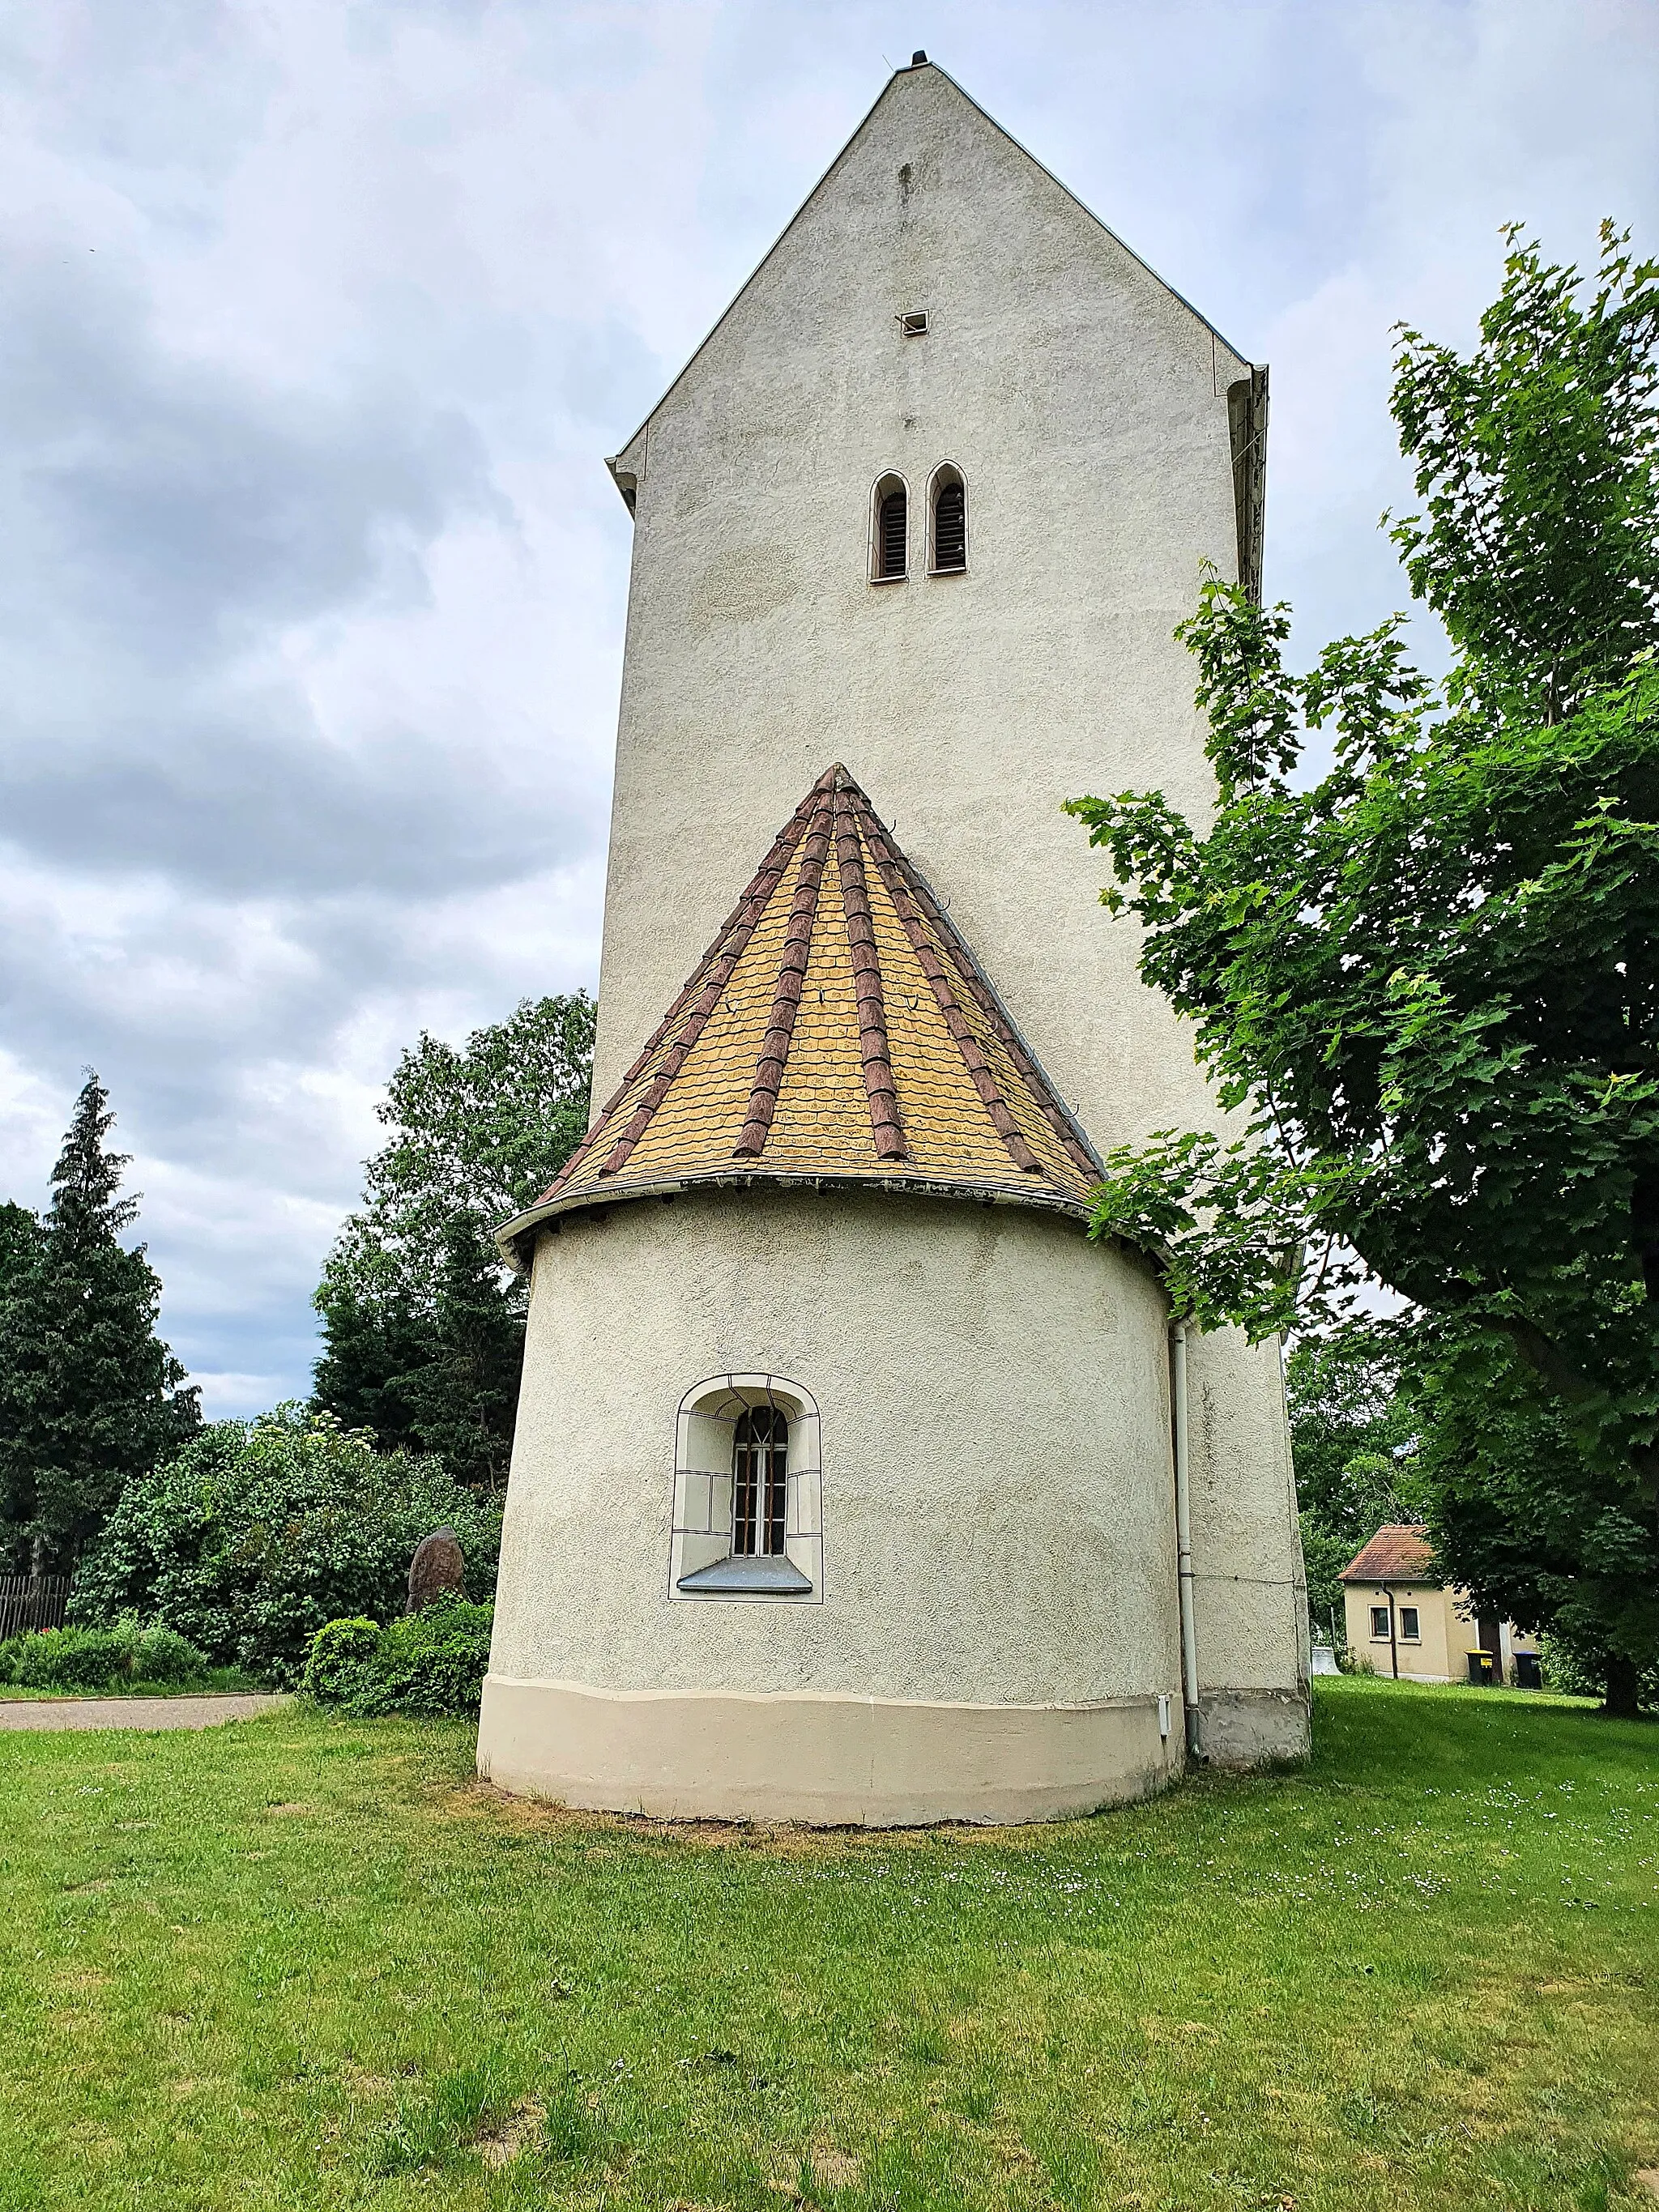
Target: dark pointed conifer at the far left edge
[{"x": 90, "y": 1395}]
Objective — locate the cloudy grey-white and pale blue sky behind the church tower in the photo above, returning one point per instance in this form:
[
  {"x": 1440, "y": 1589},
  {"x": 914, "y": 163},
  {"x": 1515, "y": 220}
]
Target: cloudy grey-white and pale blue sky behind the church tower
[{"x": 320, "y": 317}]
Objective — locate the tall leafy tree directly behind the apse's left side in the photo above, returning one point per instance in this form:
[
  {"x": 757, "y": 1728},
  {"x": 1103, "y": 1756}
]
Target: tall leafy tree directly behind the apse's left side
[{"x": 424, "y": 1328}]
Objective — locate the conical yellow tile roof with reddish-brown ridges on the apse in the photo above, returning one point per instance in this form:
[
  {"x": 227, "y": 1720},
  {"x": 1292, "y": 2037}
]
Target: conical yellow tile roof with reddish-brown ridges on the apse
[{"x": 835, "y": 1032}]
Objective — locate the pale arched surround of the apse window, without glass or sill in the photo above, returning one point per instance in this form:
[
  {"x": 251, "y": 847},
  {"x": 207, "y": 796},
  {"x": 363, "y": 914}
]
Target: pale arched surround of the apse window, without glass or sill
[{"x": 705, "y": 1492}]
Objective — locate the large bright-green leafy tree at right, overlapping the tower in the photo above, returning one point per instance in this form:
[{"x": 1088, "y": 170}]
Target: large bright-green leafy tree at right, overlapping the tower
[{"x": 1432, "y": 974}]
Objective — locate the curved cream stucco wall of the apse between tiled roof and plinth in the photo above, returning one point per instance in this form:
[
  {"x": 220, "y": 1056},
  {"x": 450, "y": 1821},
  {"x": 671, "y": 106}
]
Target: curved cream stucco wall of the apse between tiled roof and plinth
[{"x": 994, "y": 1434}]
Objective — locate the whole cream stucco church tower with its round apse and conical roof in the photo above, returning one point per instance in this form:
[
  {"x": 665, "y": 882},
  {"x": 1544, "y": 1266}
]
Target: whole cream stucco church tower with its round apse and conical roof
[{"x": 844, "y": 1483}]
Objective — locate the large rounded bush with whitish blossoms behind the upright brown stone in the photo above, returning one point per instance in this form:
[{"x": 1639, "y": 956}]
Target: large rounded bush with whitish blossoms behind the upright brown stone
[{"x": 258, "y": 1534}]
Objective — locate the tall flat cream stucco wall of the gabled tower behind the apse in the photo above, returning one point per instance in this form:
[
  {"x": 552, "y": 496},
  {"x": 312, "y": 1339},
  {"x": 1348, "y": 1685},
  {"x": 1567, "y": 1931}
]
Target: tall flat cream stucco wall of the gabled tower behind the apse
[{"x": 1087, "y": 413}]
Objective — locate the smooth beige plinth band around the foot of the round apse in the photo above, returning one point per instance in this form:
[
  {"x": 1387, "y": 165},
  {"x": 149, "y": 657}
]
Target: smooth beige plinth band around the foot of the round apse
[{"x": 835, "y": 1762}]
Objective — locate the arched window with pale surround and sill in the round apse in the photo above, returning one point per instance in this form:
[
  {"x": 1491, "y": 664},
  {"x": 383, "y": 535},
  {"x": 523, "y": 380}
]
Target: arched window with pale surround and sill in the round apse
[{"x": 747, "y": 1514}]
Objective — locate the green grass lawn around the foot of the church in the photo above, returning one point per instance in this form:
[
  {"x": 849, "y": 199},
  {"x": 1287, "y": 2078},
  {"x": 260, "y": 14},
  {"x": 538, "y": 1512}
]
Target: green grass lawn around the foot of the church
[{"x": 309, "y": 1963}]
